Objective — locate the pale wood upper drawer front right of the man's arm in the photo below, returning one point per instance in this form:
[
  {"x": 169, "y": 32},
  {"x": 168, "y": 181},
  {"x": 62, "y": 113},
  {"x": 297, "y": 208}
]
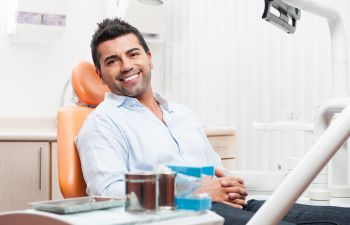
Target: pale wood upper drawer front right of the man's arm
[{"x": 223, "y": 145}]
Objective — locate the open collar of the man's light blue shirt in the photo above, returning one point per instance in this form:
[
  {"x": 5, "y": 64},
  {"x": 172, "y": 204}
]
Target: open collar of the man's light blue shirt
[{"x": 121, "y": 100}]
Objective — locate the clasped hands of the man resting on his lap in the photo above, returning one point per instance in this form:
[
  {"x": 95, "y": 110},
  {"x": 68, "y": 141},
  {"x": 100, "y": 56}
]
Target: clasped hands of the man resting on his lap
[{"x": 224, "y": 189}]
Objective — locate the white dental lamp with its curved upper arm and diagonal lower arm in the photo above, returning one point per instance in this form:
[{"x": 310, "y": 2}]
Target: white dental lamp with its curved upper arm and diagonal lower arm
[{"x": 284, "y": 14}]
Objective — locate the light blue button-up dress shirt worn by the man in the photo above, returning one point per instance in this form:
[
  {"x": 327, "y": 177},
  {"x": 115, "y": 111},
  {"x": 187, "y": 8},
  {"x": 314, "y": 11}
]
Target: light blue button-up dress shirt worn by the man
[{"x": 123, "y": 135}]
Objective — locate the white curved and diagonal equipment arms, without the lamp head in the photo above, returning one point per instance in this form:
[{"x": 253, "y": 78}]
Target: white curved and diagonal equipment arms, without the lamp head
[{"x": 276, "y": 207}]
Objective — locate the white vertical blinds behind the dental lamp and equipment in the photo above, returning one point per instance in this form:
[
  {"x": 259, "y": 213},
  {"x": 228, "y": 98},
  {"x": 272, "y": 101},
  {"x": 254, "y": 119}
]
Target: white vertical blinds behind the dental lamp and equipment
[{"x": 233, "y": 68}]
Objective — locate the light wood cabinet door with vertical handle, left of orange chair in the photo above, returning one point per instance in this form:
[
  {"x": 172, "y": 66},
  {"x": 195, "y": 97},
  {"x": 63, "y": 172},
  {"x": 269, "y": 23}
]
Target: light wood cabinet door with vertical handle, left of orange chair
[{"x": 24, "y": 174}]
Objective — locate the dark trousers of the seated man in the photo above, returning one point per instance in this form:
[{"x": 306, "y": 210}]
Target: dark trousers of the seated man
[{"x": 299, "y": 214}]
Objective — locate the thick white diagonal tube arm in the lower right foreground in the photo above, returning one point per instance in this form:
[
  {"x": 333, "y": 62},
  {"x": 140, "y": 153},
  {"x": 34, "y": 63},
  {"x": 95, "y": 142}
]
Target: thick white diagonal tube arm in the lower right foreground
[{"x": 277, "y": 206}]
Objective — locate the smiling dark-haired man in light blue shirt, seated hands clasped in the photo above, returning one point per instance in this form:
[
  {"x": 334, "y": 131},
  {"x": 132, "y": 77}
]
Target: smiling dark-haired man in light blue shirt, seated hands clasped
[{"x": 134, "y": 129}]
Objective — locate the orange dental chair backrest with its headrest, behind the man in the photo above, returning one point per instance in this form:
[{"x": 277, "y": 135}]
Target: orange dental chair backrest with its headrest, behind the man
[{"x": 89, "y": 91}]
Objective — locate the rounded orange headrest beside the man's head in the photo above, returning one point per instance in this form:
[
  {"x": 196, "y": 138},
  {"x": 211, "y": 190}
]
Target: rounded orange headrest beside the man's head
[{"x": 87, "y": 85}]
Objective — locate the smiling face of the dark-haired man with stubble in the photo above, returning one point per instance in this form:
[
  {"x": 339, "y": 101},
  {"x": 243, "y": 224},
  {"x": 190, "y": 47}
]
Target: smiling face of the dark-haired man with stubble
[{"x": 125, "y": 66}]
